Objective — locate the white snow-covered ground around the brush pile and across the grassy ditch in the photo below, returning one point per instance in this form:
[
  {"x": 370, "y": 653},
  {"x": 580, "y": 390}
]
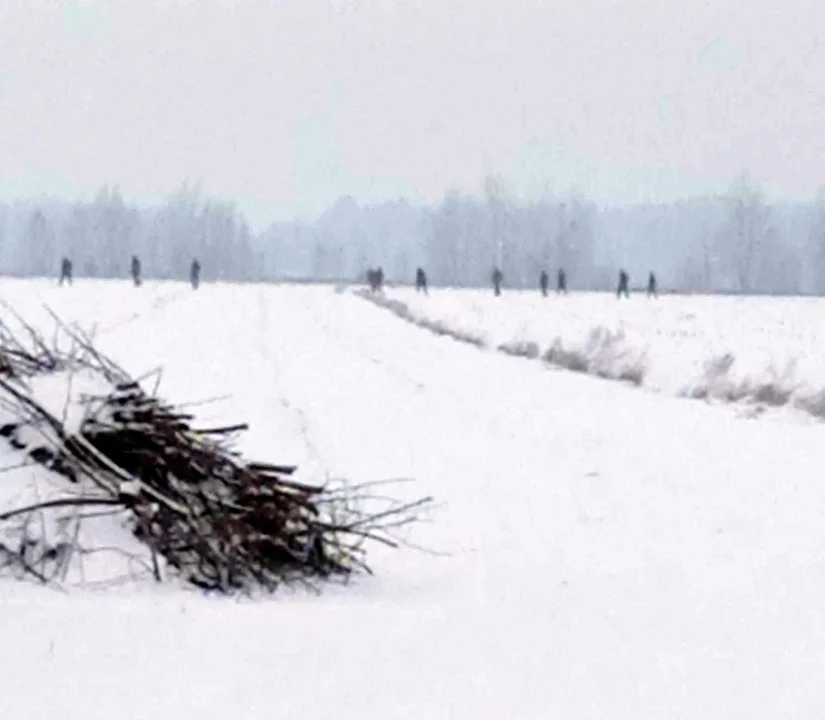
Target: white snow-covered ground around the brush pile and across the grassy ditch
[{"x": 597, "y": 552}]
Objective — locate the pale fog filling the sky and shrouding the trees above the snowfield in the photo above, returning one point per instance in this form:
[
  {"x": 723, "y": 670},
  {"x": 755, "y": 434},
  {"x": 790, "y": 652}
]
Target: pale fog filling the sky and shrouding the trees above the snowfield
[{"x": 328, "y": 135}]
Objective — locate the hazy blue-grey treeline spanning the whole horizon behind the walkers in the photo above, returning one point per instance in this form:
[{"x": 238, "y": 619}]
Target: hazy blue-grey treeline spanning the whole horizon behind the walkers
[{"x": 736, "y": 242}]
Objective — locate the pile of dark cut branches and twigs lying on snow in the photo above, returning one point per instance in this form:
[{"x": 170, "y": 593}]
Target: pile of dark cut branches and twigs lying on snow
[{"x": 198, "y": 509}]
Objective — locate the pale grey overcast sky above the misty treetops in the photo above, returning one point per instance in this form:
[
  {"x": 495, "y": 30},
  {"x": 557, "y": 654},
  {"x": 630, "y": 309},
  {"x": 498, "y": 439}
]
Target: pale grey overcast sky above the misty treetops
[{"x": 285, "y": 105}]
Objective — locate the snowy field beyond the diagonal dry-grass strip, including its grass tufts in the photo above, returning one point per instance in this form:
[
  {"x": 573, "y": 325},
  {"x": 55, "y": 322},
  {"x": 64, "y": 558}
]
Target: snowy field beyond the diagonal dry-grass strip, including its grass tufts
[{"x": 753, "y": 349}]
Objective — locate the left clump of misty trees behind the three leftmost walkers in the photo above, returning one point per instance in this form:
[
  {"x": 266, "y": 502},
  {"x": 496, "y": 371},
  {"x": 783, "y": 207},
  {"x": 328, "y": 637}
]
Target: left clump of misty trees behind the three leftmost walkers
[{"x": 101, "y": 236}]
